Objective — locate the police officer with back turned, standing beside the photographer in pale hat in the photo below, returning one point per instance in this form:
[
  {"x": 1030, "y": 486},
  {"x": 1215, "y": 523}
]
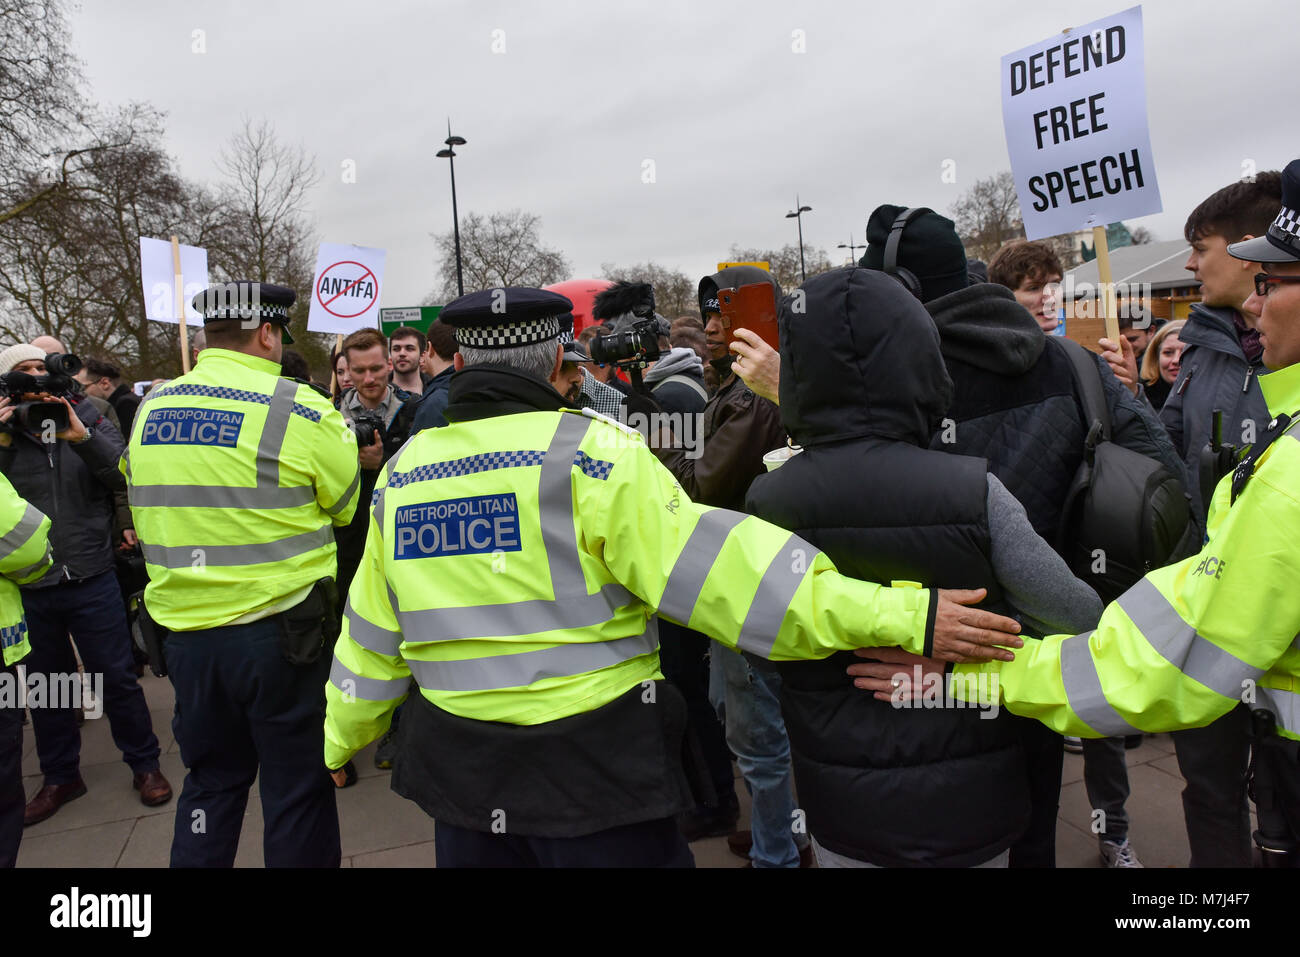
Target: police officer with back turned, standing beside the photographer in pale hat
[{"x": 236, "y": 478}]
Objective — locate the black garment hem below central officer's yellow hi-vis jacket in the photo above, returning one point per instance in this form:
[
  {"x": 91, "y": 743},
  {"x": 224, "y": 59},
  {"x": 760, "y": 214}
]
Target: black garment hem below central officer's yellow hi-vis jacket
[{"x": 614, "y": 767}]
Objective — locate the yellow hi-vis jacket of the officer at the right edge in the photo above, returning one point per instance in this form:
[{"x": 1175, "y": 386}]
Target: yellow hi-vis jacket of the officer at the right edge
[{"x": 1191, "y": 640}]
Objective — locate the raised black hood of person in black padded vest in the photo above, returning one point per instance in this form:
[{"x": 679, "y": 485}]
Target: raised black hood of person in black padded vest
[{"x": 860, "y": 357}]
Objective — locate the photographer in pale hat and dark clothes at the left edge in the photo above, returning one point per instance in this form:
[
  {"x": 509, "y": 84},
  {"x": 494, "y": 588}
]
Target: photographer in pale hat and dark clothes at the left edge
[{"x": 71, "y": 475}]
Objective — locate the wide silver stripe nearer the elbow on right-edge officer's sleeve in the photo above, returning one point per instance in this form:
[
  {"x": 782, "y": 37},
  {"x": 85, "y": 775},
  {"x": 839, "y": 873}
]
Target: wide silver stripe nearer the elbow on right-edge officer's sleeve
[{"x": 1180, "y": 644}]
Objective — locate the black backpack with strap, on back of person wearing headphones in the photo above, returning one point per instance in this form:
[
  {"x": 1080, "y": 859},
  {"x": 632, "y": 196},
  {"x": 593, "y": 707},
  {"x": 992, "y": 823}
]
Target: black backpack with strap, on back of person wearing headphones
[{"x": 1125, "y": 514}]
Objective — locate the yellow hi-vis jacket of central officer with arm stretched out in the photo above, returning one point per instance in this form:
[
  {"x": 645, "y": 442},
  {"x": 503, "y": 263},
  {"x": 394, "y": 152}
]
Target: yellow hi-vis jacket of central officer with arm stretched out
[{"x": 514, "y": 566}]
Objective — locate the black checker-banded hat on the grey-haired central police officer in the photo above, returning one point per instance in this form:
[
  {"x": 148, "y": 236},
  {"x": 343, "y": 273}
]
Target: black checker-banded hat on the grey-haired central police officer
[{"x": 508, "y": 317}]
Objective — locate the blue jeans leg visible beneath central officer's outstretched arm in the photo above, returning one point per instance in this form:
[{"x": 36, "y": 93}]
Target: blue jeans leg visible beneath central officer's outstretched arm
[{"x": 747, "y": 695}]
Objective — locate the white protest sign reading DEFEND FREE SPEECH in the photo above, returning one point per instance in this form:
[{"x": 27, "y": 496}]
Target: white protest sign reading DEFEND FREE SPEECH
[{"x": 1076, "y": 114}]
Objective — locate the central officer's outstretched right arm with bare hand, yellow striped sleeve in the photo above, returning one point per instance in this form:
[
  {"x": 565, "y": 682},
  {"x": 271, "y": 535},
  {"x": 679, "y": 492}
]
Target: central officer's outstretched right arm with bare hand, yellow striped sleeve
[{"x": 760, "y": 588}]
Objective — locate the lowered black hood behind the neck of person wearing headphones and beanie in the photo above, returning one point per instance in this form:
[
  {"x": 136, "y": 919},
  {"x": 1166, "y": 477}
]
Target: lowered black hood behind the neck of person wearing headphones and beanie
[{"x": 983, "y": 326}]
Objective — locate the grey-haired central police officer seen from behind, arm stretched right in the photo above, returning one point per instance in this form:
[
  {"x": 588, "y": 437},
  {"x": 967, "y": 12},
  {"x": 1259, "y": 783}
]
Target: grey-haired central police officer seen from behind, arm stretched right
[{"x": 514, "y": 568}]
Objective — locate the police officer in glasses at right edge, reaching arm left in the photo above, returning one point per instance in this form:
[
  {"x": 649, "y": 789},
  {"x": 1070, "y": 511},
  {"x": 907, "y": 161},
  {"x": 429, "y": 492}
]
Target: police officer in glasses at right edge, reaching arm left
[{"x": 1186, "y": 644}]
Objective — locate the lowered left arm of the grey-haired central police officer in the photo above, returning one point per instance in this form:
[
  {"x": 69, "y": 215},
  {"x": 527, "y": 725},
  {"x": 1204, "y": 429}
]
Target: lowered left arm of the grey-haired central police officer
[{"x": 369, "y": 678}]
